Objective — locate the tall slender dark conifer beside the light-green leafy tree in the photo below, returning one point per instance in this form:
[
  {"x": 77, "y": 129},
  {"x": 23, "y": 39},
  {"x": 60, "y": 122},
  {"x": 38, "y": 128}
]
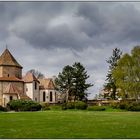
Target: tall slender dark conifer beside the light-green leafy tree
[{"x": 112, "y": 61}]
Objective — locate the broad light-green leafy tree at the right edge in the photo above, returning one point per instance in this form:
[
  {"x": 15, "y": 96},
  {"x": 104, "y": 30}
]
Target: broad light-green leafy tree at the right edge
[{"x": 127, "y": 74}]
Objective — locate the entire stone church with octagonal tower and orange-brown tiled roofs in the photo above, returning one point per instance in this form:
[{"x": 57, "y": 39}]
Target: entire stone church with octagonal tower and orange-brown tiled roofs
[{"x": 13, "y": 86}]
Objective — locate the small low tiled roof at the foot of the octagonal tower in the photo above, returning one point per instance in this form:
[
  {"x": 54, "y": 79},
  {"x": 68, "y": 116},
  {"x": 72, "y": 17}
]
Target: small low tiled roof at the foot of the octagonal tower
[{"x": 12, "y": 89}]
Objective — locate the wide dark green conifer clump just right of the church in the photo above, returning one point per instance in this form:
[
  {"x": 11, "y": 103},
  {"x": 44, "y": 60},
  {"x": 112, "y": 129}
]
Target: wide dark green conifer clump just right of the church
[{"x": 72, "y": 81}]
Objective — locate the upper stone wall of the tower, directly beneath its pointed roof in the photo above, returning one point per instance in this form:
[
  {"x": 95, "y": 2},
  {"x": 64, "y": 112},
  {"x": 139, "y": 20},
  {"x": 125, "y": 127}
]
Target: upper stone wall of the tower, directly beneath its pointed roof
[{"x": 7, "y": 71}]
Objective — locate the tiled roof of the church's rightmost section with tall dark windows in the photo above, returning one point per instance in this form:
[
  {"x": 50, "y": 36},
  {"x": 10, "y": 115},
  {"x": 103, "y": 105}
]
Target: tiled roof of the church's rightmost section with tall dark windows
[{"x": 46, "y": 84}]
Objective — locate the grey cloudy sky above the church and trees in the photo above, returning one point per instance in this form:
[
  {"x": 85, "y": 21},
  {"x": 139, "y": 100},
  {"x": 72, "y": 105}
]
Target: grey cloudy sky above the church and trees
[{"x": 47, "y": 36}]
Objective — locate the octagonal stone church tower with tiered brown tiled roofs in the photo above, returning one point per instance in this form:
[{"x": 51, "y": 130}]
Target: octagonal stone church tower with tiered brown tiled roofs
[{"x": 11, "y": 83}]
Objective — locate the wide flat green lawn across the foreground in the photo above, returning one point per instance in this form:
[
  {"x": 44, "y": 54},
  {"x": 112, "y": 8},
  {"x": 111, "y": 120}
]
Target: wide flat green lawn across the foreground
[{"x": 70, "y": 124}]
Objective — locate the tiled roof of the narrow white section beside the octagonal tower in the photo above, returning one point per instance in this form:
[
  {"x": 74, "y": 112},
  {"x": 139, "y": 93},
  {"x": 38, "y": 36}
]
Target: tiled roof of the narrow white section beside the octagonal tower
[{"x": 29, "y": 77}]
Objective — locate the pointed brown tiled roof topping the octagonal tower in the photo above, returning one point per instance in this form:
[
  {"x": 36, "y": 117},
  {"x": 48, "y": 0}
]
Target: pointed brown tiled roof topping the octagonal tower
[{"x": 8, "y": 60}]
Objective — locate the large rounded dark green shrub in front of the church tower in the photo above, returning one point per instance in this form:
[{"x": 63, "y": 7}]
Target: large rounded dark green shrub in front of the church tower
[{"x": 24, "y": 105}]
